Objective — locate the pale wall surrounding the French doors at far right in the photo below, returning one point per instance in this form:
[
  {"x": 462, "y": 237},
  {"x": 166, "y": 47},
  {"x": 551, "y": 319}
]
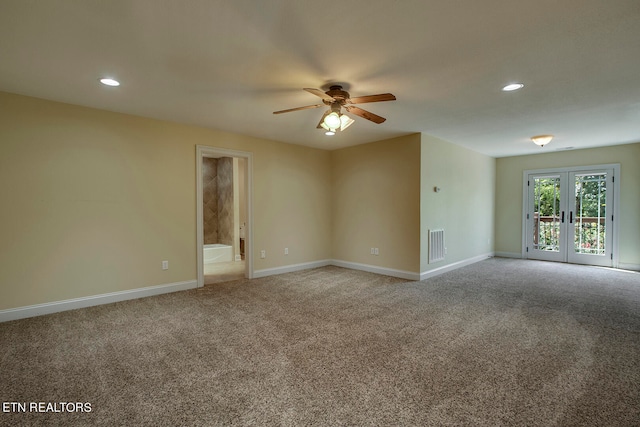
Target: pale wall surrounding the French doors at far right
[{"x": 509, "y": 172}]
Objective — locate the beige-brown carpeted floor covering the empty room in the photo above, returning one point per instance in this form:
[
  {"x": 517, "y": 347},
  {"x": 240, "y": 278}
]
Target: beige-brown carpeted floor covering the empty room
[{"x": 498, "y": 343}]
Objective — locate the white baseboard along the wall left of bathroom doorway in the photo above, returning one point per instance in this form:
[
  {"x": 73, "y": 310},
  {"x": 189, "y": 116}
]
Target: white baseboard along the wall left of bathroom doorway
[{"x": 72, "y": 304}]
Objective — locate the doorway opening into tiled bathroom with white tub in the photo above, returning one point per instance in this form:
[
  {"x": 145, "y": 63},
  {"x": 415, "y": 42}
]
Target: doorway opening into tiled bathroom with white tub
[{"x": 224, "y": 215}]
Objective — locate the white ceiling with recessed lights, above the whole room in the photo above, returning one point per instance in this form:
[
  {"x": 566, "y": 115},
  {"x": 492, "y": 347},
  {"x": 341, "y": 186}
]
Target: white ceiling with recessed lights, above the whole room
[{"x": 229, "y": 64}]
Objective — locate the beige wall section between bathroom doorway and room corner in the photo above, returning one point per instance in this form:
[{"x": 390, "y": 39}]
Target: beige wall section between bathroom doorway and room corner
[{"x": 292, "y": 205}]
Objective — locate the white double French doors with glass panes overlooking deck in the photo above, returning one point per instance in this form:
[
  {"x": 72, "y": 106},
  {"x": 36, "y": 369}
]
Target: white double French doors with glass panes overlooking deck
[{"x": 569, "y": 215}]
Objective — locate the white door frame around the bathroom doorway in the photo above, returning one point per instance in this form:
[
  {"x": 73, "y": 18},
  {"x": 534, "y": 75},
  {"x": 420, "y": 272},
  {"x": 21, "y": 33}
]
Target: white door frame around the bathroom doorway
[{"x": 202, "y": 152}]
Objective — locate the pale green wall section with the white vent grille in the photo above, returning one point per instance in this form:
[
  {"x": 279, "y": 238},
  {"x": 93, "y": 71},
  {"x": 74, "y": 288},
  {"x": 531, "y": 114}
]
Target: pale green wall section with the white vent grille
[{"x": 464, "y": 207}]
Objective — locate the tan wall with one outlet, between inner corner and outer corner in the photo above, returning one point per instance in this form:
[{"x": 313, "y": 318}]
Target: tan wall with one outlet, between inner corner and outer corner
[{"x": 376, "y": 203}]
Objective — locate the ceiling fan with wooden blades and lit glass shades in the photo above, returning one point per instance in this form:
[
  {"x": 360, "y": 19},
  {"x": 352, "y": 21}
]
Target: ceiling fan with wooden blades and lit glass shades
[{"x": 336, "y": 98}]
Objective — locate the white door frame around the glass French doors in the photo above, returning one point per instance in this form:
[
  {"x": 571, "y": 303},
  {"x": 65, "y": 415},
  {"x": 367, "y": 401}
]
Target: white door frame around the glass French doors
[{"x": 615, "y": 203}]
